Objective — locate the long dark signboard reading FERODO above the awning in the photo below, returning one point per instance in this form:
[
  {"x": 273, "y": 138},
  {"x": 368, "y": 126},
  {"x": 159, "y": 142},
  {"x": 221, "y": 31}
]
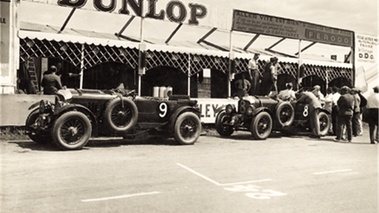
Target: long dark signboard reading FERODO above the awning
[{"x": 281, "y": 27}]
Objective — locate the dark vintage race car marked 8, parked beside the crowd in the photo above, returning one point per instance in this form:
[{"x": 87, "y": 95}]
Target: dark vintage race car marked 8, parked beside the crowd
[{"x": 262, "y": 115}]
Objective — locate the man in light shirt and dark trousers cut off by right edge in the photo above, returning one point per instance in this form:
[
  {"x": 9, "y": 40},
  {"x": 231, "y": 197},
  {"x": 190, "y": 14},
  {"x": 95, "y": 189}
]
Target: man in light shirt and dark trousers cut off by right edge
[{"x": 371, "y": 117}]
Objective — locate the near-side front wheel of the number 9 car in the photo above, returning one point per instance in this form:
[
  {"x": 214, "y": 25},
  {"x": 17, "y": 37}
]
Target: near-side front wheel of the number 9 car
[{"x": 72, "y": 130}]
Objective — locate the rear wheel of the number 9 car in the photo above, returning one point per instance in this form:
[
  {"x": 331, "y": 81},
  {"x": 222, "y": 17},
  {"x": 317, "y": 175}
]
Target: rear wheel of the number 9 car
[{"x": 187, "y": 128}]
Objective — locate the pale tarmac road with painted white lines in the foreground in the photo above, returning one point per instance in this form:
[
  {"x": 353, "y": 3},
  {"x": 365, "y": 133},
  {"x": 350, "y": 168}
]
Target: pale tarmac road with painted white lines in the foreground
[{"x": 236, "y": 174}]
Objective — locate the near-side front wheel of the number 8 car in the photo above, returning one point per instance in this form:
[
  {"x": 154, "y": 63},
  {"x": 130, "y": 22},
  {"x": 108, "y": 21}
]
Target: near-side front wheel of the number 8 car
[{"x": 261, "y": 126}]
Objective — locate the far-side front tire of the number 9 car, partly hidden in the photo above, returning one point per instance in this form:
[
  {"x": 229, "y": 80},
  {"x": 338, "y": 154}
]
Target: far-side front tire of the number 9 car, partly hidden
[{"x": 40, "y": 137}]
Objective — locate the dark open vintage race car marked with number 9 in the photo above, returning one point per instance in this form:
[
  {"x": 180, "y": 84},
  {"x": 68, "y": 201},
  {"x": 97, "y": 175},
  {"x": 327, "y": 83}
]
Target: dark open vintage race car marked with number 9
[{"x": 79, "y": 114}]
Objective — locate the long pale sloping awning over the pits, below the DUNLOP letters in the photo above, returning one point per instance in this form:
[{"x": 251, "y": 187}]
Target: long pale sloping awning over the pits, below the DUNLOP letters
[{"x": 108, "y": 29}]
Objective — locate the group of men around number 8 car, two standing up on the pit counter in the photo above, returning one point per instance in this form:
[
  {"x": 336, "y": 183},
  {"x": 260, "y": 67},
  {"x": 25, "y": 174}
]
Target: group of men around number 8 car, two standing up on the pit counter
[{"x": 347, "y": 103}]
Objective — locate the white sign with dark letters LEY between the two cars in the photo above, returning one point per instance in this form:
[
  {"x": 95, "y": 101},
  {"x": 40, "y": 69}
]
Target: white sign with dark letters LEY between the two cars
[{"x": 209, "y": 106}]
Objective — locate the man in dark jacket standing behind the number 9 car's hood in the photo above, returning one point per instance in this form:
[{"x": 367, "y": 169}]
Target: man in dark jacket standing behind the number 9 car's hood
[{"x": 51, "y": 82}]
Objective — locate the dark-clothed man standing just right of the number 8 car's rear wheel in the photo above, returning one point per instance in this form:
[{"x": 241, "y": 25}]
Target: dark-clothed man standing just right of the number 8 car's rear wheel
[{"x": 345, "y": 114}]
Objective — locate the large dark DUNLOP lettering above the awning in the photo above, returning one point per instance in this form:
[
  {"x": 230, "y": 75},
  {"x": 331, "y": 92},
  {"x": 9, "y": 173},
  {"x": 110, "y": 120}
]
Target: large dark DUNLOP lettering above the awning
[{"x": 175, "y": 11}]
